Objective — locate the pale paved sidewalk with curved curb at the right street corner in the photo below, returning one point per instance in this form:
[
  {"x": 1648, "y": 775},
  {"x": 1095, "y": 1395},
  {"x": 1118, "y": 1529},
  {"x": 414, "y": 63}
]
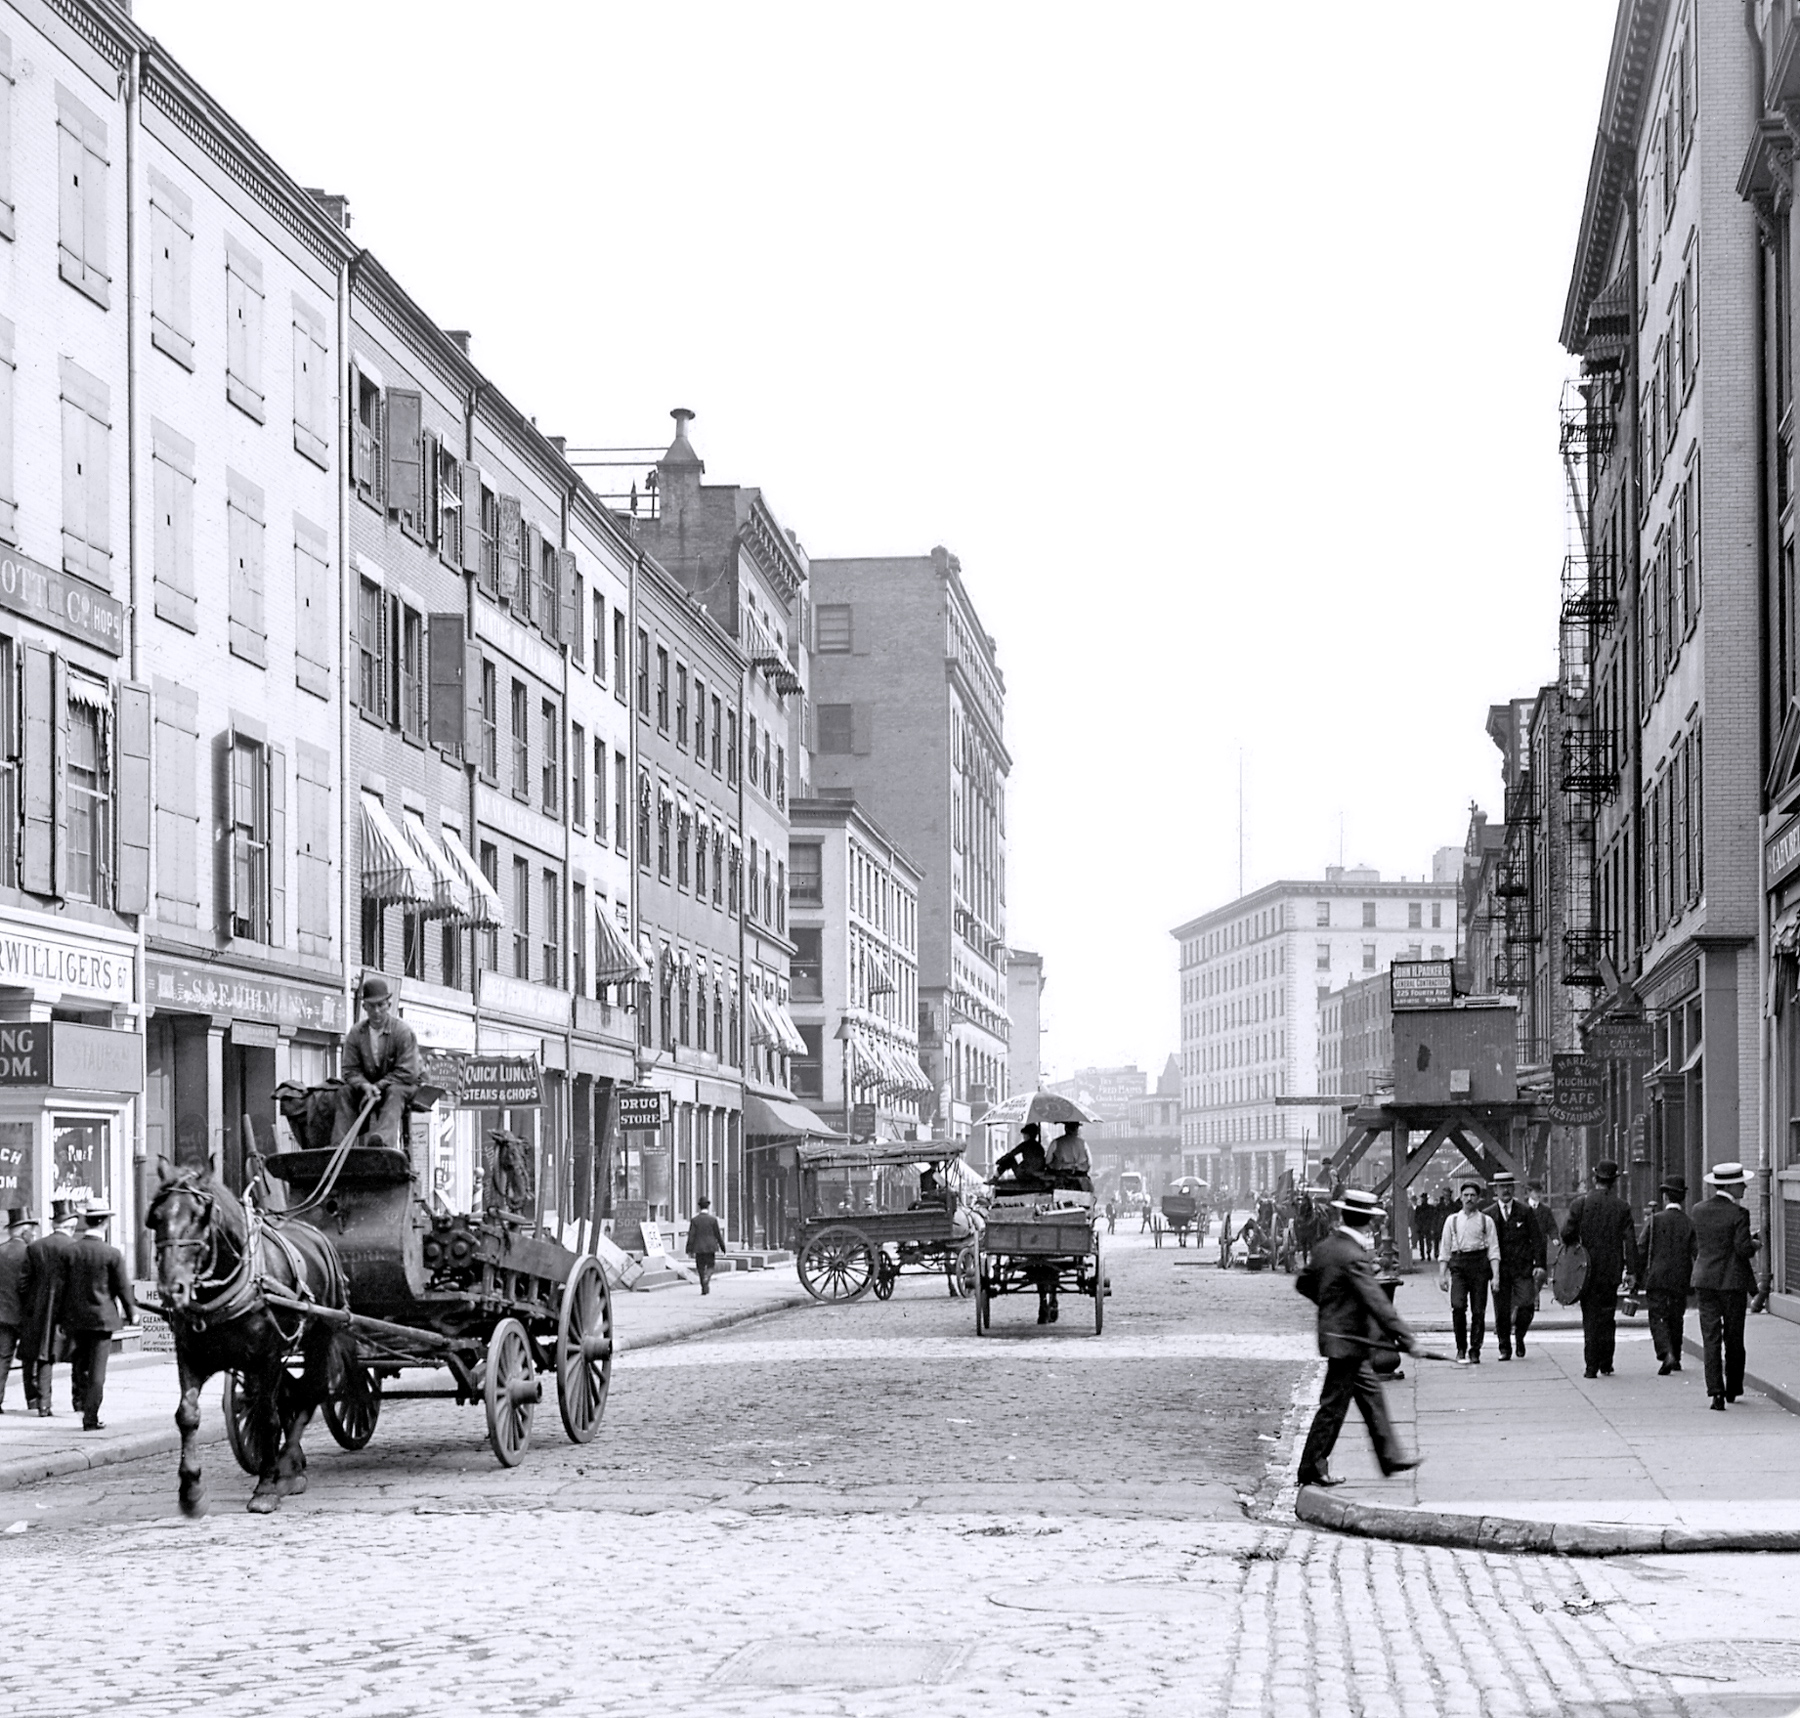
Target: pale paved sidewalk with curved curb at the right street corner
[{"x": 1533, "y": 1456}]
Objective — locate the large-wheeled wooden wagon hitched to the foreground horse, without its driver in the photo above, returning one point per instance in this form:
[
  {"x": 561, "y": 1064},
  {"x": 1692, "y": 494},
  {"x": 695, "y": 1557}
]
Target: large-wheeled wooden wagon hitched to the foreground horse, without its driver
[{"x": 481, "y": 1298}]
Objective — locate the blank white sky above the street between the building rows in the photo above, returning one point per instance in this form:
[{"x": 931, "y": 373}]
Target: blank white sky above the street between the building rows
[{"x": 1218, "y": 339}]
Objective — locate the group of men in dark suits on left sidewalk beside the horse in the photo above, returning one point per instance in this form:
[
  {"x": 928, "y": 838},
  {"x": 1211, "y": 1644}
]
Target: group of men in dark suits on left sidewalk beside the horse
[{"x": 62, "y": 1296}]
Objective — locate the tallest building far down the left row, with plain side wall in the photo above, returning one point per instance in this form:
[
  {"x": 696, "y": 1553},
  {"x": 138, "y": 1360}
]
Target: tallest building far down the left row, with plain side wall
[{"x": 910, "y": 718}]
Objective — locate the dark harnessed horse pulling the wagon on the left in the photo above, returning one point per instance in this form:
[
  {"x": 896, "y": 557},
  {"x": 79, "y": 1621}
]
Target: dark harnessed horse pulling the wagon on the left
[{"x": 213, "y": 1261}]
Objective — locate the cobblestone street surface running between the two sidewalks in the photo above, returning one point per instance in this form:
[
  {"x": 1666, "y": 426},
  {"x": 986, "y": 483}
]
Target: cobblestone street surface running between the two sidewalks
[{"x": 861, "y": 1512}]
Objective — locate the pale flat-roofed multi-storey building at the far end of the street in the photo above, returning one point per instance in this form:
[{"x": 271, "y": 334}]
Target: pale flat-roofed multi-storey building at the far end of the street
[{"x": 1254, "y": 977}]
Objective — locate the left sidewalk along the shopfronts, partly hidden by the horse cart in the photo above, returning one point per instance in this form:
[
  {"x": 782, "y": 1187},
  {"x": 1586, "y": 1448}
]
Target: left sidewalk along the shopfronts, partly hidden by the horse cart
[{"x": 143, "y": 1391}]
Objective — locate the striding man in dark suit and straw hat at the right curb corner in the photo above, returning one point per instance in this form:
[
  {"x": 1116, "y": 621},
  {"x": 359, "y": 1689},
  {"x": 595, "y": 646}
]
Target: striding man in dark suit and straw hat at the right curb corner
[{"x": 1356, "y": 1317}]
